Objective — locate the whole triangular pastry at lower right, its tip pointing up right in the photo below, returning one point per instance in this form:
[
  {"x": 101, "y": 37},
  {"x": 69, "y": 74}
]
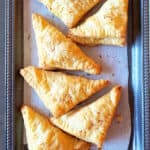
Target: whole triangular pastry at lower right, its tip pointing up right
[{"x": 91, "y": 122}]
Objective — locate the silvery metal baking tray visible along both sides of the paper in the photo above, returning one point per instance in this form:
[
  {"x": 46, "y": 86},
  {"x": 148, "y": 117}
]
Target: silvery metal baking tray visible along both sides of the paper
[{"x": 11, "y": 60}]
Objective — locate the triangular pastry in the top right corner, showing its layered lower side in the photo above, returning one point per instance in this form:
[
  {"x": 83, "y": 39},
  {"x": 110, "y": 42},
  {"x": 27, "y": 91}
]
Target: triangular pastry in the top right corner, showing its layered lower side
[{"x": 107, "y": 26}]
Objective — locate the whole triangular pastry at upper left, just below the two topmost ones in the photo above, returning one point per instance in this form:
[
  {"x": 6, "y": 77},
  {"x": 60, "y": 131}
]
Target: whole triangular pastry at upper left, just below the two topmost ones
[{"x": 57, "y": 51}]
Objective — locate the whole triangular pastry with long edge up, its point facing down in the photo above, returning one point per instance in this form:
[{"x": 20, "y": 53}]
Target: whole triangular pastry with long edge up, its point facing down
[{"x": 58, "y": 91}]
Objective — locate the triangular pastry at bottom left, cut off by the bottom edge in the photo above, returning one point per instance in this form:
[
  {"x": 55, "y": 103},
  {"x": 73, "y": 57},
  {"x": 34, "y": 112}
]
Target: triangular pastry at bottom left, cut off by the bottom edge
[{"x": 42, "y": 135}]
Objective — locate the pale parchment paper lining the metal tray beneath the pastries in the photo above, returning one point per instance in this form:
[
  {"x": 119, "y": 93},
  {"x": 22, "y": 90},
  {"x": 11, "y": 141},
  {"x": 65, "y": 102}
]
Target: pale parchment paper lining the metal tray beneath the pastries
[{"x": 115, "y": 68}]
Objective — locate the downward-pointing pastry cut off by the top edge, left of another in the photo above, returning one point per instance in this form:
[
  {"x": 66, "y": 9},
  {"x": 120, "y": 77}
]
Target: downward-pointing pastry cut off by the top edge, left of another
[{"x": 69, "y": 11}]
